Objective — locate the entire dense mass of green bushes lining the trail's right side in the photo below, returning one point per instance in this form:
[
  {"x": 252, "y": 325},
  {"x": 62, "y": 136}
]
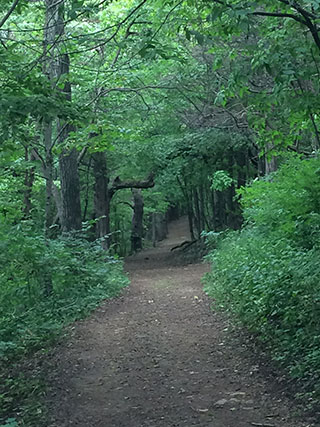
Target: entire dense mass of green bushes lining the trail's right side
[{"x": 268, "y": 273}]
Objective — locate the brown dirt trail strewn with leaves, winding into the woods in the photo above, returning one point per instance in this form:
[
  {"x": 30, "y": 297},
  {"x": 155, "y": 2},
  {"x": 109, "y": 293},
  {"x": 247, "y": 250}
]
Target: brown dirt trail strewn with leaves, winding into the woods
[{"x": 159, "y": 357}]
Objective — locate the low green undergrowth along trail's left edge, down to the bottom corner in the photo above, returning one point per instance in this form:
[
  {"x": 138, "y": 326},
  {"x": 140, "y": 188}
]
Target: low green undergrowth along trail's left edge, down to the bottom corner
[{"x": 81, "y": 275}]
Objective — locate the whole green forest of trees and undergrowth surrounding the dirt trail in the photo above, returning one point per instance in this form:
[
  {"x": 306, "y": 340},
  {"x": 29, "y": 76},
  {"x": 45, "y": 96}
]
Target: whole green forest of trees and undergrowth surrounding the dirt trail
[{"x": 118, "y": 116}]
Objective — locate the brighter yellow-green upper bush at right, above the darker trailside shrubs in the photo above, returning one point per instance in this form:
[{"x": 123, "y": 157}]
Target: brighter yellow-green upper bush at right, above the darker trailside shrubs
[{"x": 287, "y": 203}]
